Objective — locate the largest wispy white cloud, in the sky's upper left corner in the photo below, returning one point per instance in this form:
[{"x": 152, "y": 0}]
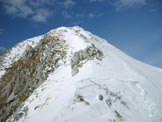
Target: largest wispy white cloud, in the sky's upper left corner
[{"x": 37, "y": 10}]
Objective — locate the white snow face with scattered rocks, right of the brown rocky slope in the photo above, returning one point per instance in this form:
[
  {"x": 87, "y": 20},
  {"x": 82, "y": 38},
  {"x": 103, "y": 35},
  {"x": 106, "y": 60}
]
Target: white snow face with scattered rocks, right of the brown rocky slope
[{"x": 96, "y": 83}]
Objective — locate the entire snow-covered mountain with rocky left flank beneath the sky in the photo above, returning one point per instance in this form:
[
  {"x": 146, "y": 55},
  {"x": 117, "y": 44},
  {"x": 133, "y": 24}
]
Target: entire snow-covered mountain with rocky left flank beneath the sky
[{"x": 71, "y": 75}]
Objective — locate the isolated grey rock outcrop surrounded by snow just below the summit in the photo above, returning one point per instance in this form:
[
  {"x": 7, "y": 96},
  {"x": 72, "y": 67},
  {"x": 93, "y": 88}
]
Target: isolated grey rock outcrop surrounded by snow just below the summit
[{"x": 81, "y": 57}]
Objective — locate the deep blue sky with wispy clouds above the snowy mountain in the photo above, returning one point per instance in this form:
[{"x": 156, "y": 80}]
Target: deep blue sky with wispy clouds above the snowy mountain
[{"x": 134, "y": 26}]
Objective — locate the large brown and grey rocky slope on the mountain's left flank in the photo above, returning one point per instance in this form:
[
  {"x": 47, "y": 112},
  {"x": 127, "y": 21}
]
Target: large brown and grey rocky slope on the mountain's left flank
[{"x": 29, "y": 72}]
